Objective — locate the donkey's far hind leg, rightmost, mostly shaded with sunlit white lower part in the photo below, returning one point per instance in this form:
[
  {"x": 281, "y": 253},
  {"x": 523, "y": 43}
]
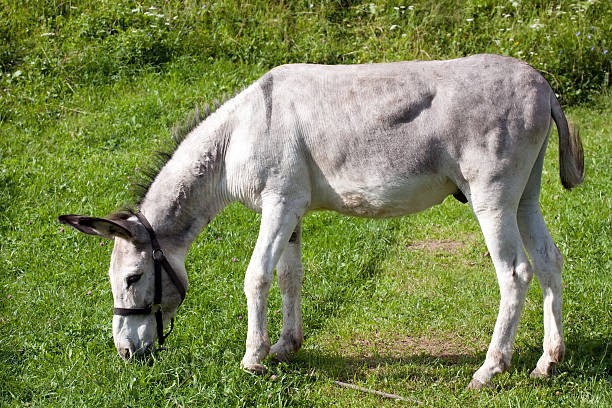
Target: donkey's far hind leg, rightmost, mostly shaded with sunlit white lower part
[{"x": 547, "y": 264}]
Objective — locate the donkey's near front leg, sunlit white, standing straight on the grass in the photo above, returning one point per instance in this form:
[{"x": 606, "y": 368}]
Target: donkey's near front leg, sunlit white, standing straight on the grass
[{"x": 280, "y": 216}]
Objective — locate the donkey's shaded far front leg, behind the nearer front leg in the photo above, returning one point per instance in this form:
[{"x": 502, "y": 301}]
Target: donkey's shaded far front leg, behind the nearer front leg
[{"x": 289, "y": 272}]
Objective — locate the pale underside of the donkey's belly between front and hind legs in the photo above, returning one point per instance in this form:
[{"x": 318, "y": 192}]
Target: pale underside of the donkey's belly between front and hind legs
[{"x": 386, "y": 198}]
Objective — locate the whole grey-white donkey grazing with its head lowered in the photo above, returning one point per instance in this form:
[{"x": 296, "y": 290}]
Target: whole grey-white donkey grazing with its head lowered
[{"x": 375, "y": 140}]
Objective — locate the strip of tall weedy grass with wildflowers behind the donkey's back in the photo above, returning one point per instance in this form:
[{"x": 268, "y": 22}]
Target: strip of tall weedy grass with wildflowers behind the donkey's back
[{"x": 49, "y": 49}]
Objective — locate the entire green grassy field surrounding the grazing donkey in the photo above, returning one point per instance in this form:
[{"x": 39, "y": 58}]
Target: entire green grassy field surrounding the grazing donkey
[{"x": 405, "y": 306}]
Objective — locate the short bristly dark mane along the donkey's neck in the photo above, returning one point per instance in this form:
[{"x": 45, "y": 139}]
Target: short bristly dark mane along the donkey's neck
[{"x": 179, "y": 132}]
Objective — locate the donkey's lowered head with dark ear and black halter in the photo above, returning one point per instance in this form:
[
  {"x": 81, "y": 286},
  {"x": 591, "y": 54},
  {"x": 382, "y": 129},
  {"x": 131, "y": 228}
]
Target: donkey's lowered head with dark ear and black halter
[{"x": 148, "y": 285}]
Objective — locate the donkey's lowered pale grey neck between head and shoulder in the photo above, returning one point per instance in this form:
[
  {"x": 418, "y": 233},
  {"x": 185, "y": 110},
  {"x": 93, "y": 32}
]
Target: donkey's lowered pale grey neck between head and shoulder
[{"x": 187, "y": 192}]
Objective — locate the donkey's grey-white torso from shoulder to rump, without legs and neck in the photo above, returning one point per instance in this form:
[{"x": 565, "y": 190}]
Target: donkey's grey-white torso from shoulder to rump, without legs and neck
[{"x": 382, "y": 140}]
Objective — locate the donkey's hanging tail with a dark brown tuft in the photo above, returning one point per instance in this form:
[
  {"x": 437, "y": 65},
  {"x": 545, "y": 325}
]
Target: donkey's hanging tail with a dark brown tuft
[{"x": 571, "y": 155}]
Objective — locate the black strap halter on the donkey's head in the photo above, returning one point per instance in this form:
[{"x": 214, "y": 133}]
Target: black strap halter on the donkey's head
[{"x": 159, "y": 261}]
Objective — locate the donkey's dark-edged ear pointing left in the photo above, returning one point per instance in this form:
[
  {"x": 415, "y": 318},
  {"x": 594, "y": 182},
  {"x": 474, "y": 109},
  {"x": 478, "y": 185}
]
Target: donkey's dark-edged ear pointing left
[{"x": 116, "y": 225}]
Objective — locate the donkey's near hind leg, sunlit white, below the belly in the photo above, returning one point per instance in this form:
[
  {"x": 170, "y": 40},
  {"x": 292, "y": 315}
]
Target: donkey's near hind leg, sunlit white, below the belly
[{"x": 497, "y": 218}]
